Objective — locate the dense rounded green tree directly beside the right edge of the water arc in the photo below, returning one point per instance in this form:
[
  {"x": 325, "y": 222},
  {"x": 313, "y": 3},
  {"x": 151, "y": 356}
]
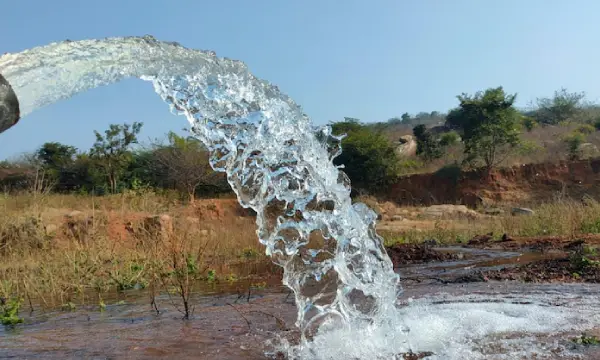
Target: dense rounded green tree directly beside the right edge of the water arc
[{"x": 368, "y": 156}]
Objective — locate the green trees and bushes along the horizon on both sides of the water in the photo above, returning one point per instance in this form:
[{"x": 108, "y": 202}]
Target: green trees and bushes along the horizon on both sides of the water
[{"x": 486, "y": 124}]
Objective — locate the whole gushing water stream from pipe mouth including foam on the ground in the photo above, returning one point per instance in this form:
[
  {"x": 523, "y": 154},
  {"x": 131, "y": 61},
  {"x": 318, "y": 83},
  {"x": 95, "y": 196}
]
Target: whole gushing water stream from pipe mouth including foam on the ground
[{"x": 280, "y": 165}]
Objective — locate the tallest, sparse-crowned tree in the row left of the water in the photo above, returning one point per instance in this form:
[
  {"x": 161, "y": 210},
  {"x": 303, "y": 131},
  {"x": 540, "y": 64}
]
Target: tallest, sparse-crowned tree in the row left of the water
[{"x": 111, "y": 151}]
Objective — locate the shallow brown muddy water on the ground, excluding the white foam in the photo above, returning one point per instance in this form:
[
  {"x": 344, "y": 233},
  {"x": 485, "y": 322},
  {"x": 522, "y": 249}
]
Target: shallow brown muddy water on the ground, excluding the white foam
[{"x": 227, "y": 323}]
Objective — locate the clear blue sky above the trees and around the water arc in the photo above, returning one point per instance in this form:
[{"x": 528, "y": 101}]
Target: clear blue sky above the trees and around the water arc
[{"x": 372, "y": 60}]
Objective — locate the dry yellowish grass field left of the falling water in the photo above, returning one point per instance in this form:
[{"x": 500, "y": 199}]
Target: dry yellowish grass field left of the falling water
[{"x": 51, "y": 255}]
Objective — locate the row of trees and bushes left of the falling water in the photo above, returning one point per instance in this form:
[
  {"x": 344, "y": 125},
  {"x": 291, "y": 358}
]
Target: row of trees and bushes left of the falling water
[{"x": 111, "y": 165}]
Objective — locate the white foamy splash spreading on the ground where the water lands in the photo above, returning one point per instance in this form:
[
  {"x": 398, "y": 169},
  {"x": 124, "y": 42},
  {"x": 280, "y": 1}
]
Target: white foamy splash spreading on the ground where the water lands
[{"x": 462, "y": 327}]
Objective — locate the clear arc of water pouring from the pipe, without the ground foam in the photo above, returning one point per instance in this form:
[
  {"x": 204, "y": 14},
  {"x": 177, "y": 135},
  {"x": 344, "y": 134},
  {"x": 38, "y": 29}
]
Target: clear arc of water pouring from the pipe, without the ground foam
[{"x": 275, "y": 160}]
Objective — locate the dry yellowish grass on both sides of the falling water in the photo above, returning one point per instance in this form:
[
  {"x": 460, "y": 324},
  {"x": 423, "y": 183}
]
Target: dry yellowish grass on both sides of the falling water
[{"x": 117, "y": 243}]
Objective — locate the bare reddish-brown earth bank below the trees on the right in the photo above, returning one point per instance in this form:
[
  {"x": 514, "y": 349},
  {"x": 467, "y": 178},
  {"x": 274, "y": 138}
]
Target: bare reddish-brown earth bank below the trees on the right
[{"x": 529, "y": 183}]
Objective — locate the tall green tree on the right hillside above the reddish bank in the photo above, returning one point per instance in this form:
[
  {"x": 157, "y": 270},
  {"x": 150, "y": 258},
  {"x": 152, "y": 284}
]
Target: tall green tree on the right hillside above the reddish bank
[{"x": 490, "y": 125}]
